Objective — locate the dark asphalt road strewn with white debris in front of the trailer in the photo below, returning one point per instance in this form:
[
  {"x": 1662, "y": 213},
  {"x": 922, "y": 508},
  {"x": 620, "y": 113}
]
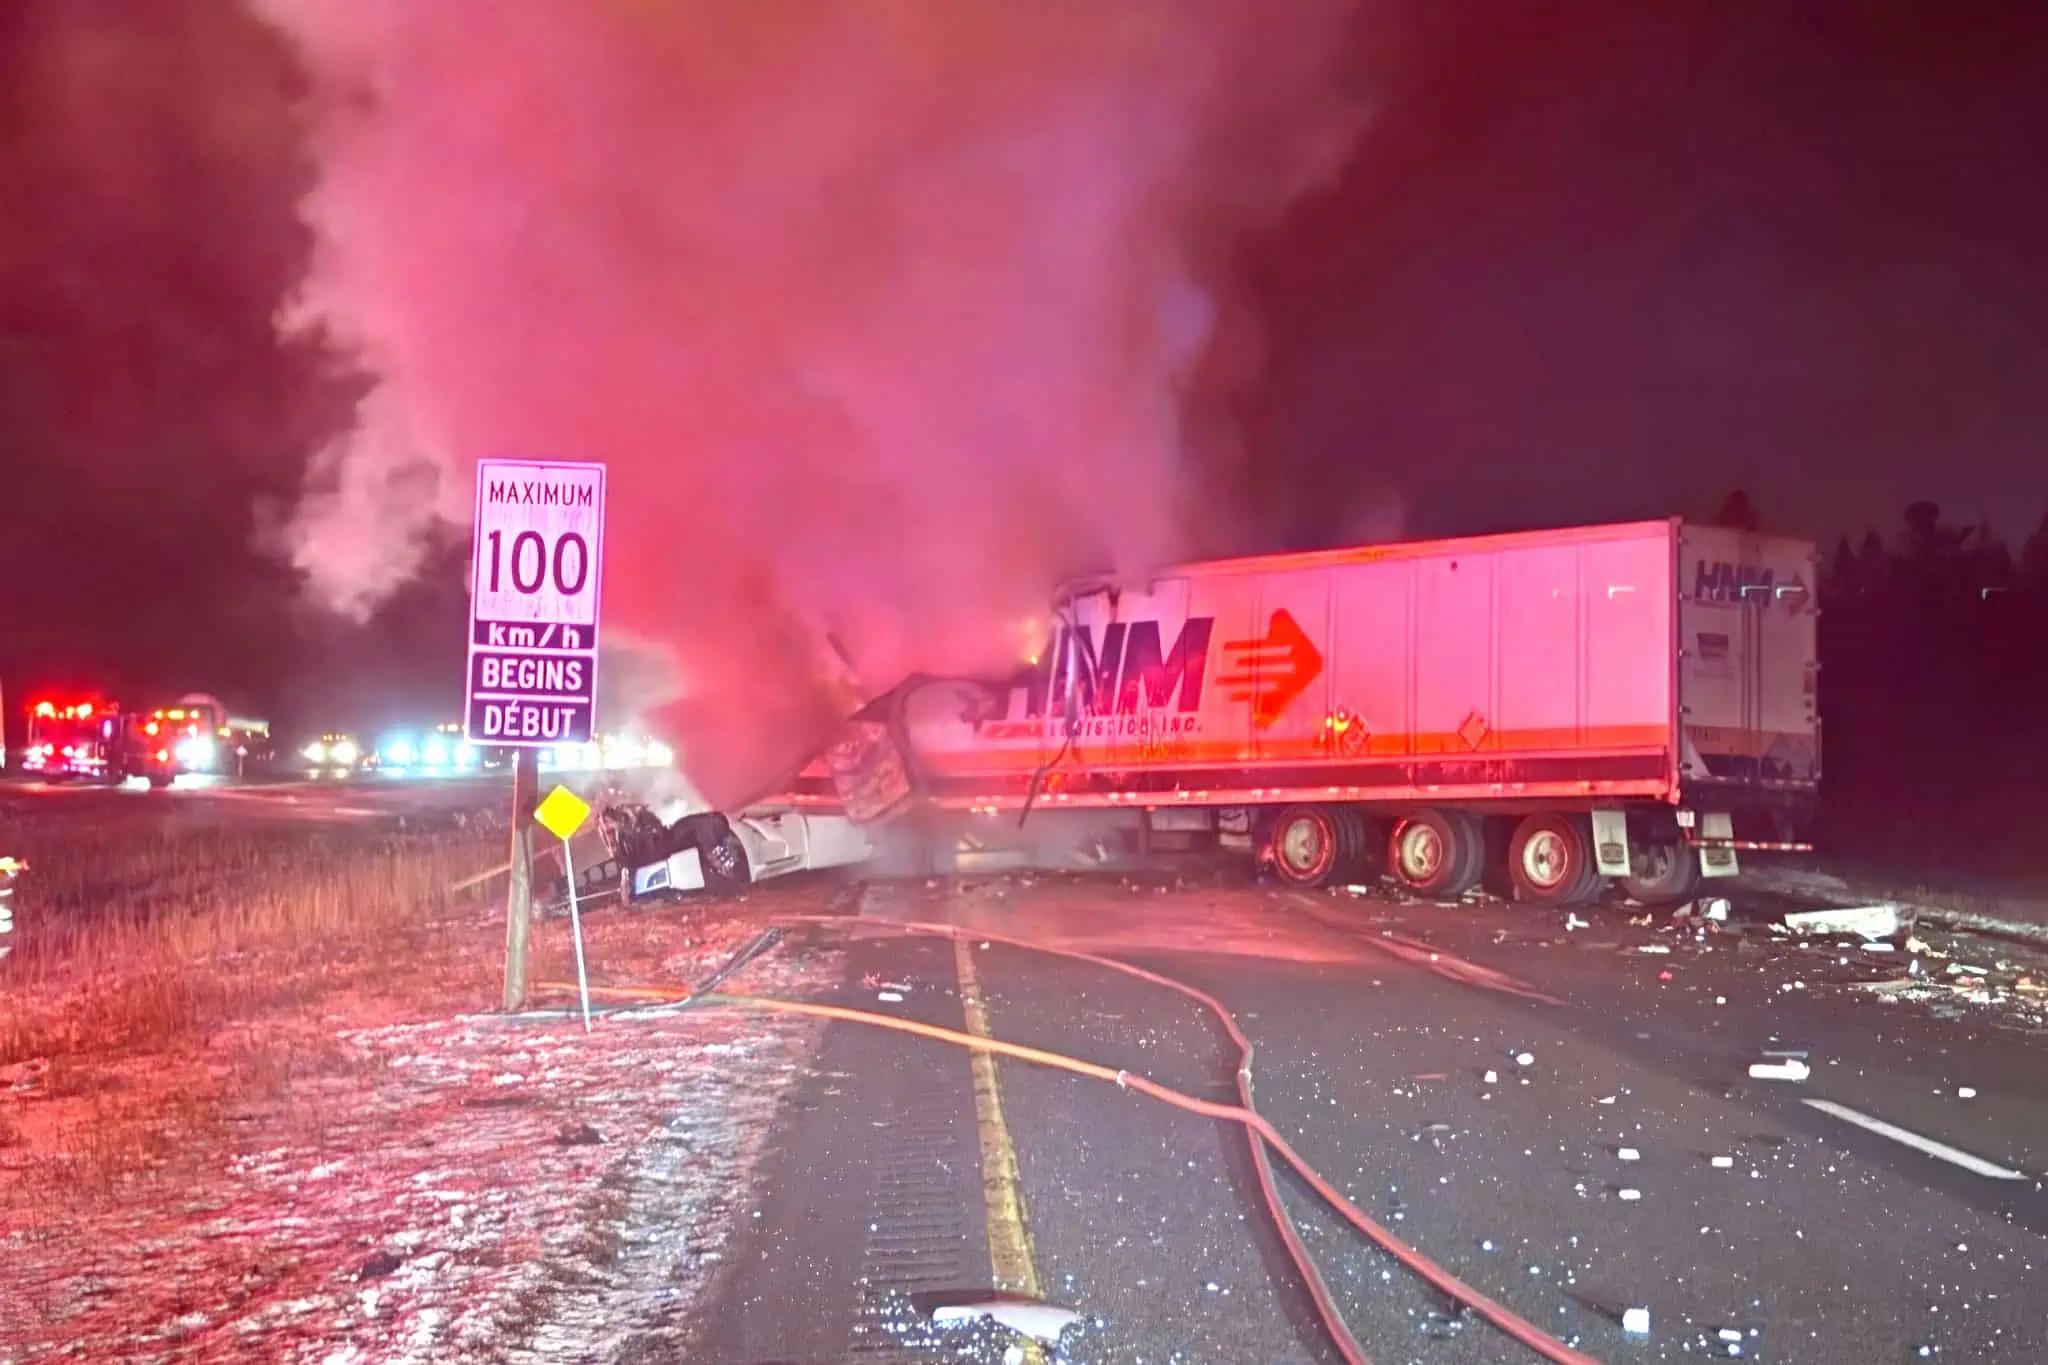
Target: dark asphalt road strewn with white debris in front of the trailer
[{"x": 1562, "y": 1116}]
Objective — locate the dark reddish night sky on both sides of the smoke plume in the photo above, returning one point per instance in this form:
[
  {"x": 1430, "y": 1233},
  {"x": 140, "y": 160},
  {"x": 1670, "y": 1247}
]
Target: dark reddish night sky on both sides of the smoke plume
[{"x": 1580, "y": 267}]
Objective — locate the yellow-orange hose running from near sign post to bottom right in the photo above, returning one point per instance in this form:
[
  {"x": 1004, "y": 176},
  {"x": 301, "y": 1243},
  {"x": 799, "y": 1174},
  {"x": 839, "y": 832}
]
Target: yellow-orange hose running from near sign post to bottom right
[{"x": 1437, "y": 1276}]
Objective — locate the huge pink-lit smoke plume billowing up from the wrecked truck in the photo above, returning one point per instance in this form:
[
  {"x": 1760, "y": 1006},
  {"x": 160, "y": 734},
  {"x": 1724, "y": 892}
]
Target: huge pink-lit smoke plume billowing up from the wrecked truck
[{"x": 884, "y": 314}]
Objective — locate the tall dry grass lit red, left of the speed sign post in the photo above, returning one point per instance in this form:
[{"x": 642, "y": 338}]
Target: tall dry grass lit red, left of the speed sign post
[{"x": 159, "y": 987}]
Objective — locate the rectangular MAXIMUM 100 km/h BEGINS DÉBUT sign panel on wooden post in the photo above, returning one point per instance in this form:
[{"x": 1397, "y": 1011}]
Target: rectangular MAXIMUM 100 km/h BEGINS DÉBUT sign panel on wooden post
[{"x": 534, "y": 603}]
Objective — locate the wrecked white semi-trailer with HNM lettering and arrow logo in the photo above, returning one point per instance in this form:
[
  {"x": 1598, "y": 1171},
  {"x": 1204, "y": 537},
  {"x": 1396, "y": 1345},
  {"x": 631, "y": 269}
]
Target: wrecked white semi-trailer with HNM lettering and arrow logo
[{"x": 1549, "y": 711}]
